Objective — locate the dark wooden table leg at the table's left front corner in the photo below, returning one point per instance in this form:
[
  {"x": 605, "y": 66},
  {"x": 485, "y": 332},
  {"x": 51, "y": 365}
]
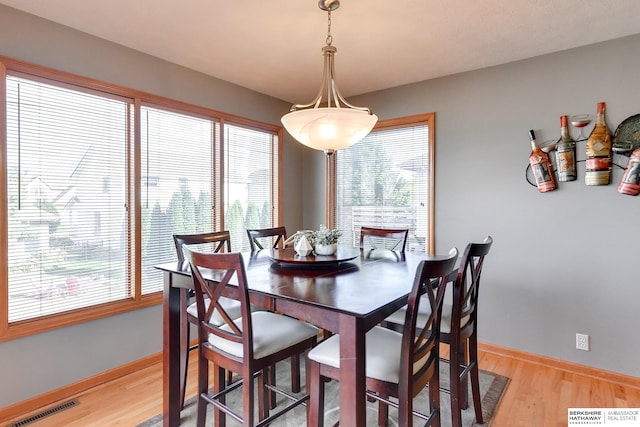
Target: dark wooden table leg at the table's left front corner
[{"x": 171, "y": 353}]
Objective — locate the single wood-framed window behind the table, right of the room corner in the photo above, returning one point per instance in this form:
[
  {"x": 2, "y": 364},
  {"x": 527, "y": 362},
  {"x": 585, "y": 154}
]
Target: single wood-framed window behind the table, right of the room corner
[{"x": 386, "y": 181}]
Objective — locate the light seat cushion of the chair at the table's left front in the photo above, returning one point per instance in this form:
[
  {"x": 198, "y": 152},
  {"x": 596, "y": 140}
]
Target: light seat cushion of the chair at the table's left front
[{"x": 271, "y": 333}]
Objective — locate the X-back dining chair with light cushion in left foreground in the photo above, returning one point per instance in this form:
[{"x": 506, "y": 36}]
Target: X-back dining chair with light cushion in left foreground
[{"x": 250, "y": 345}]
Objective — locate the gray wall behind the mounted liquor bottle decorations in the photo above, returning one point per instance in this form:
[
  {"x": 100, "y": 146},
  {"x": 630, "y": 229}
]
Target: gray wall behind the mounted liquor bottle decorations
[{"x": 562, "y": 262}]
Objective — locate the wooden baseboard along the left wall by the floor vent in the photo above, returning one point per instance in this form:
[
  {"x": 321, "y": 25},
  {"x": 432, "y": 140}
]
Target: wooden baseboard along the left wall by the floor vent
[{"x": 68, "y": 391}]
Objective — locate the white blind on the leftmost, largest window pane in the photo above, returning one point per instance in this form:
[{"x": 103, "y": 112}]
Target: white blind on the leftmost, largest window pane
[{"x": 68, "y": 231}]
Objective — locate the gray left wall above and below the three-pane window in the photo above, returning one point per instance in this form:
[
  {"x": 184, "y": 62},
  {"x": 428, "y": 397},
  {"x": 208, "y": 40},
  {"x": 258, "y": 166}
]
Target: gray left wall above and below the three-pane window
[{"x": 36, "y": 364}]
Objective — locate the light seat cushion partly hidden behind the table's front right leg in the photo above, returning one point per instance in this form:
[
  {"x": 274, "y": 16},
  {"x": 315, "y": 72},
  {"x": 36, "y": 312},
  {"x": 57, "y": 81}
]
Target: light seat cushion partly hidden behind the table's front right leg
[{"x": 382, "y": 353}]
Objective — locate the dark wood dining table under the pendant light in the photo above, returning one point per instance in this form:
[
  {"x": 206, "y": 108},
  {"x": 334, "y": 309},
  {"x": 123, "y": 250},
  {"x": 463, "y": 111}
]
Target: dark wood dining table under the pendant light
[{"x": 347, "y": 298}]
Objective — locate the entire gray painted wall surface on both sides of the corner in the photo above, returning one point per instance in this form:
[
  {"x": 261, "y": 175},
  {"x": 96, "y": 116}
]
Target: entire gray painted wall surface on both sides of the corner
[{"x": 562, "y": 262}]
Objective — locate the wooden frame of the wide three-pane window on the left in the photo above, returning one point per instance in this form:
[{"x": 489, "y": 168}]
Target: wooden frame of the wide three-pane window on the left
[{"x": 10, "y": 66}]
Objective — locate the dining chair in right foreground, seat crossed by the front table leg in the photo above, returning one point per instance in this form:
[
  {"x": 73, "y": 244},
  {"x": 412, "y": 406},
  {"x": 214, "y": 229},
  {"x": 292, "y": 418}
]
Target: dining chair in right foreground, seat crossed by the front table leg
[{"x": 397, "y": 364}]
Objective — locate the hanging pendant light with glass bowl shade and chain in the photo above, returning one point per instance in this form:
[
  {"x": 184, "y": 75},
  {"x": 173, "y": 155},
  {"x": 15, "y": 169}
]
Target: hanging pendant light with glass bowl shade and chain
[{"x": 330, "y": 124}]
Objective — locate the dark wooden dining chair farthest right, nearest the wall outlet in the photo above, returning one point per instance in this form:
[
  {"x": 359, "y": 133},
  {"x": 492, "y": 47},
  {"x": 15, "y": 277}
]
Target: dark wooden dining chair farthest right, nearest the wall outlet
[{"x": 459, "y": 329}]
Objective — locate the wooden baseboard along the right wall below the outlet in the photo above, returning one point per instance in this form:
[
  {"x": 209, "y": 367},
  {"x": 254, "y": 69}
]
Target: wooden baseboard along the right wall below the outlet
[{"x": 574, "y": 368}]
